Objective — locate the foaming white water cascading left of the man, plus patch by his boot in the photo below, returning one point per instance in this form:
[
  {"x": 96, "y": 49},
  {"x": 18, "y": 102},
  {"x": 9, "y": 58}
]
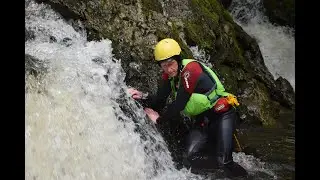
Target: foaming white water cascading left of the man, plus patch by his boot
[{"x": 75, "y": 128}]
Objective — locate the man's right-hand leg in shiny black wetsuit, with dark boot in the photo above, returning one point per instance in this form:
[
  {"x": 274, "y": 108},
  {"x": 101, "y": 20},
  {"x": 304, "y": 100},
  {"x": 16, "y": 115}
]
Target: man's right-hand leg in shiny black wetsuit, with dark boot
[{"x": 223, "y": 129}]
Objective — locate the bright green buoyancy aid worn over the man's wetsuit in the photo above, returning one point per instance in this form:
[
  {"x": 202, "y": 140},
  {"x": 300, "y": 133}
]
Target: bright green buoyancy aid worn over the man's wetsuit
[{"x": 199, "y": 103}]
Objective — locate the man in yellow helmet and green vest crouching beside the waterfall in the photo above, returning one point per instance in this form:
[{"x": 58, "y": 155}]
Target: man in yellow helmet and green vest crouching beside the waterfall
[{"x": 199, "y": 94}]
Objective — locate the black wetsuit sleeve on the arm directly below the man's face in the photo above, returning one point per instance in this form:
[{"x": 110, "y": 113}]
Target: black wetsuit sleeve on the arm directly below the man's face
[{"x": 158, "y": 101}]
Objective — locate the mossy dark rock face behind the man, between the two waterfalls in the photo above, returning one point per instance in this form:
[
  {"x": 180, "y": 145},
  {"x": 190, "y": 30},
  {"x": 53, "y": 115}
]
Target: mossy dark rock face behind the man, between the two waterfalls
[{"x": 134, "y": 27}]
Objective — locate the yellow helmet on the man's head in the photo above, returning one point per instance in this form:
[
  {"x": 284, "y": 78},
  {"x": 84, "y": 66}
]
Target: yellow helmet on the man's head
[{"x": 166, "y": 48}]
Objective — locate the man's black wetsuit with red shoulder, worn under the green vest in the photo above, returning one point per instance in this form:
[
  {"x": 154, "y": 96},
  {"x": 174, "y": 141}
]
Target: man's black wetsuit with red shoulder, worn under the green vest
[{"x": 211, "y": 134}]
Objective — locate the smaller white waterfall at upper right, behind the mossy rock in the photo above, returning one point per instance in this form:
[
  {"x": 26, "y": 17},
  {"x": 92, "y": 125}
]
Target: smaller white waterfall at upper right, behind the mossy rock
[{"x": 277, "y": 43}]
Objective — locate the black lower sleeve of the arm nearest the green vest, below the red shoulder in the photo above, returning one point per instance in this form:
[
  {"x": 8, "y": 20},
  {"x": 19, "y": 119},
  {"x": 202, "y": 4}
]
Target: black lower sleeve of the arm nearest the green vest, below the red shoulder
[{"x": 174, "y": 109}]
